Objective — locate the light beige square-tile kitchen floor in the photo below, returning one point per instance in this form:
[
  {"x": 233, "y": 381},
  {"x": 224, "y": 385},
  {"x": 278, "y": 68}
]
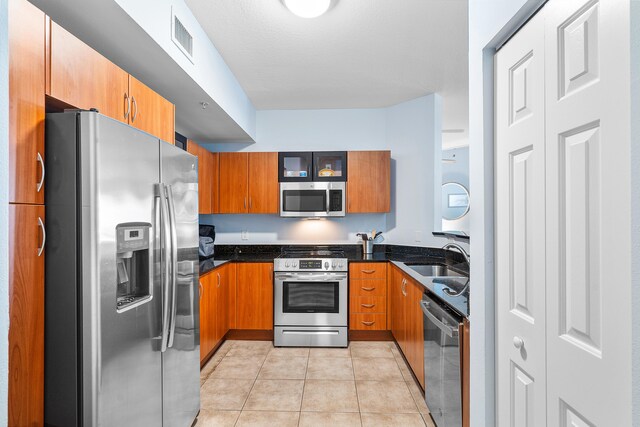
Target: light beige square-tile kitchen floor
[{"x": 251, "y": 383}]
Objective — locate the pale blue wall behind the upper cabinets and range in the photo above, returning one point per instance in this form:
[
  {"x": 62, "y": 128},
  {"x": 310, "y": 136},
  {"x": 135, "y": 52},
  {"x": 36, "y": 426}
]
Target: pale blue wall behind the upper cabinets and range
[{"x": 411, "y": 130}]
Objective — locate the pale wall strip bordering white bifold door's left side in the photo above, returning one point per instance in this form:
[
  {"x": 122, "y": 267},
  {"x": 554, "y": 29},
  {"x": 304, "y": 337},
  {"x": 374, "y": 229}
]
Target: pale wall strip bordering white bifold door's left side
[{"x": 489, "y": 21}]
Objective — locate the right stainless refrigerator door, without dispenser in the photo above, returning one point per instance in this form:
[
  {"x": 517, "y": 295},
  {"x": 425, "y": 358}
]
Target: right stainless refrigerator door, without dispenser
[{"x": 181, "y": 360}]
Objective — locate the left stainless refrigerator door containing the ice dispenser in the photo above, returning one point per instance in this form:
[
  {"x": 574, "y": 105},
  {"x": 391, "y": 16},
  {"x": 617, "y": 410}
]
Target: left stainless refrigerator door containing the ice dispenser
[{"x": 121, "y": 362}]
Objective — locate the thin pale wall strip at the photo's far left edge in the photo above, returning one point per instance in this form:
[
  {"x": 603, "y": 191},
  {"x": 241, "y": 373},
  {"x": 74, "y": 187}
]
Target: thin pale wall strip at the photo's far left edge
[{"x": 4, "y": 200}]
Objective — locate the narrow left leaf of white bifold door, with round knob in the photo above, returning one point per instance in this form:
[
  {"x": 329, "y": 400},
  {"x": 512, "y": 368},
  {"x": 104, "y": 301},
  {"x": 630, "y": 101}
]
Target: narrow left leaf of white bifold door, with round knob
[{"x": 520, "y": 224}]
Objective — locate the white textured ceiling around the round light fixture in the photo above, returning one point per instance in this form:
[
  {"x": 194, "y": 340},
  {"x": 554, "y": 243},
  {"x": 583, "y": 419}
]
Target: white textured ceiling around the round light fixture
[{"x": 360, "y": 54}]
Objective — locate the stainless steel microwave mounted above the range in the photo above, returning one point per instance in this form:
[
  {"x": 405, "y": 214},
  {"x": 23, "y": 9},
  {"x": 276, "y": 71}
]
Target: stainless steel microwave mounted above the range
[{"x": 312, "y": 199}]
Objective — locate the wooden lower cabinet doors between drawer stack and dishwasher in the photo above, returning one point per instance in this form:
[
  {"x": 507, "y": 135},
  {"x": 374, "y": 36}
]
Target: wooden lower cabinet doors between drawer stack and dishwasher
[{"x": 406, "y": 320}]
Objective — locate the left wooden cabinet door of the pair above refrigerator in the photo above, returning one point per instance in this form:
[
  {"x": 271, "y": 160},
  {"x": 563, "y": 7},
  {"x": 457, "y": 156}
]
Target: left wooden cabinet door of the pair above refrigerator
[{"x": 82, "y": 77}]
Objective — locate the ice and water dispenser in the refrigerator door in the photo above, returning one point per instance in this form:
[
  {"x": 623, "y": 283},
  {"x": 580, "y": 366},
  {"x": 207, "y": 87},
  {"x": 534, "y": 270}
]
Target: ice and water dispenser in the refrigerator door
[{"x": 133, "y": 256}]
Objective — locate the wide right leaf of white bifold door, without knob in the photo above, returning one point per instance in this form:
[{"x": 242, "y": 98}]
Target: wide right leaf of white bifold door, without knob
[{"x": 588, "y": 213}]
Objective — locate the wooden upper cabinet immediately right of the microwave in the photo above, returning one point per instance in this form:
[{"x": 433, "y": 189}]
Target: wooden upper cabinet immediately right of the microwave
[{"x": 369, "y": 182}]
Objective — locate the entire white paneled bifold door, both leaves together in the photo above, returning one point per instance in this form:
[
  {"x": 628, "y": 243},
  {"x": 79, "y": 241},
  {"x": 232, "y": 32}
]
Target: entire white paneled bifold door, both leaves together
[{"x": 563, "y": 266}]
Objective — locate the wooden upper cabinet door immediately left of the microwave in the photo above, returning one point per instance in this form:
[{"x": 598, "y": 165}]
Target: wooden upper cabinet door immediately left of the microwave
[{"x": 263, "y": 183}]
